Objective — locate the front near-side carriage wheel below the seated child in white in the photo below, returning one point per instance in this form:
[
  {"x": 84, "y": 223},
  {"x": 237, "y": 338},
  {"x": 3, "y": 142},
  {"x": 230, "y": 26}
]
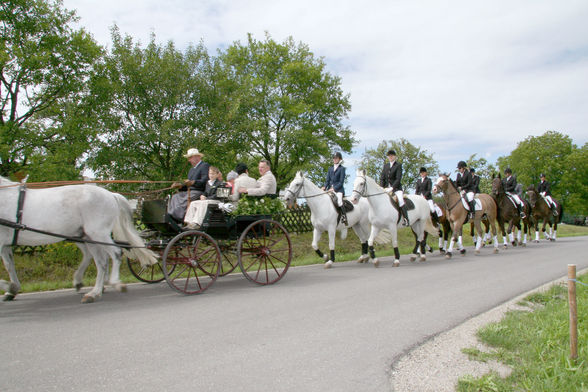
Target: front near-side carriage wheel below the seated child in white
[{"x": 191, "y": 262}]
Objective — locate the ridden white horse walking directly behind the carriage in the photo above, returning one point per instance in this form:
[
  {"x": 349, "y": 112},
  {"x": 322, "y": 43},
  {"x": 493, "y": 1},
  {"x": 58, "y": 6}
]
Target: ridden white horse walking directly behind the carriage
[{"x": 323, "y": 216}]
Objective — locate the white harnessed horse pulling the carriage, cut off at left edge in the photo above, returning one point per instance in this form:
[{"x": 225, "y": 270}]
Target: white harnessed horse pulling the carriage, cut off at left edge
[{"x": 82, "y": 212}]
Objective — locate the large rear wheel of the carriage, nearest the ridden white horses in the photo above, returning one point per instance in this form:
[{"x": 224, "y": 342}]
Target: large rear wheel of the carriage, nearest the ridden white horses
[{"x": 264, "y": 252}]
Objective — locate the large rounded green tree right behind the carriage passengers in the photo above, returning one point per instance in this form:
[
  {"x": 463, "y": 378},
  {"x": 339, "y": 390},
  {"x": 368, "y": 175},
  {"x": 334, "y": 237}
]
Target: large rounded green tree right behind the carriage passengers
[{"x": 285, "y": 107}]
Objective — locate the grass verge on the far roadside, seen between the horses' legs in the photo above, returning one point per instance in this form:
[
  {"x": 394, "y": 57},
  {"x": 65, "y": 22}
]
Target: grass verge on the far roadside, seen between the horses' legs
[{"x": 54, "y": 268}]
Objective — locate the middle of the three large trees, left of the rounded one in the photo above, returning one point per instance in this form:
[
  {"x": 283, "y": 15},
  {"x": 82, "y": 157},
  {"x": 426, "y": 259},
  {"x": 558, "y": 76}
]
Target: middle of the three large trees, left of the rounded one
[{"x": 153, "y": 112}]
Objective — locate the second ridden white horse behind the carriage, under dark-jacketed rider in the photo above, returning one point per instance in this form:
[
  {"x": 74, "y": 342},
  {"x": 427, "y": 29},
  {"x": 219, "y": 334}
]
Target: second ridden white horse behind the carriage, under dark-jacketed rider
[{"x": 383, "y": 215}]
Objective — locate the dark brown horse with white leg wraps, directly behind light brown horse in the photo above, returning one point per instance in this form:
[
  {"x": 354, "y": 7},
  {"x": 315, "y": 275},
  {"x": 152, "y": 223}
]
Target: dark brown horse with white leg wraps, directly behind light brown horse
[{"x": 508, "y": 213}]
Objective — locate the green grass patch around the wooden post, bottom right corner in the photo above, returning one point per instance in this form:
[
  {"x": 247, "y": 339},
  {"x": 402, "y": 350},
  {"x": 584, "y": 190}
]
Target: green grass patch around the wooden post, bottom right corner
[{"x": 535, "y": 344}]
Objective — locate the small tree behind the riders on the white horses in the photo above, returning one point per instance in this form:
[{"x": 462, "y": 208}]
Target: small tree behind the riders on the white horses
[{"x": 411, "y": 157}]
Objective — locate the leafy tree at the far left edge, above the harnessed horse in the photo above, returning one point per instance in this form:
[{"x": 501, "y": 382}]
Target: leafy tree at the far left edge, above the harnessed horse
[{"x": 44, "y": 66}]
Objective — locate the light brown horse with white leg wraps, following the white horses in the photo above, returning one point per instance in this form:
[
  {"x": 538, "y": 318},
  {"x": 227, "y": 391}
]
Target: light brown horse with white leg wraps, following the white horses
[{"x": 458, "y": 214}]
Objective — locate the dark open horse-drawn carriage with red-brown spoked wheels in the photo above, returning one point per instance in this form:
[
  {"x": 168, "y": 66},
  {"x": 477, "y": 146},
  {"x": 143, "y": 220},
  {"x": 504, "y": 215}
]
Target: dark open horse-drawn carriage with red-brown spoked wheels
[{"x": 192, "y": 260}]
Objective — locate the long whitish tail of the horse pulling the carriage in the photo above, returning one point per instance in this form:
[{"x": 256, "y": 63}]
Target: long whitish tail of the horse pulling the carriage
[{"x": 124, "y": 230}]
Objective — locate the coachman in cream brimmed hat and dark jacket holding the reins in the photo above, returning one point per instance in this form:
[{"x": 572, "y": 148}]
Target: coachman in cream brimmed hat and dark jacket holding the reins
[{"x": 196, "y": 182}]
